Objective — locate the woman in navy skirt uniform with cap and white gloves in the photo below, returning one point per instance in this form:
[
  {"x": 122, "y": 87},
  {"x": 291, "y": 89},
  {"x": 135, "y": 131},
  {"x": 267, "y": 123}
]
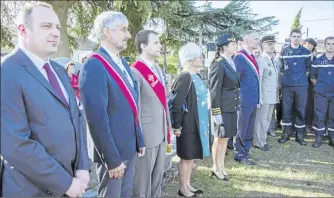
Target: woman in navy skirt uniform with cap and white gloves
[{"x": 224, "y": 94}]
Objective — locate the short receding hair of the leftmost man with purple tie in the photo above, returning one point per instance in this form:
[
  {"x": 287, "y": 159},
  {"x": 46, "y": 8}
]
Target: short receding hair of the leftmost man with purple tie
[{"x": 24, "y": 15}]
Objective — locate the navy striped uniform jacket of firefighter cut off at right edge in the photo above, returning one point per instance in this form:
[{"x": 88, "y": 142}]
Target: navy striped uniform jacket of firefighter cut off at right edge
[{"x": 323, "y": 71}]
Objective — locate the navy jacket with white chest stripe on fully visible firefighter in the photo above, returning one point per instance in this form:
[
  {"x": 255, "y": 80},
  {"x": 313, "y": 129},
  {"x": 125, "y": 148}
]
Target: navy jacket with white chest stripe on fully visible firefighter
[{"x": 294, "y": 65}]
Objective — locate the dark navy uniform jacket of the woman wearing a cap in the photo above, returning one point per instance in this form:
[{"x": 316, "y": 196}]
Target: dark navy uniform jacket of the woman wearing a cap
[{"x": 224, "y": 86}]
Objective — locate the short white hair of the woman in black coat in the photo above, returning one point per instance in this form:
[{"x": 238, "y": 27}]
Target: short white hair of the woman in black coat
[{"x": 189, "y": 52}]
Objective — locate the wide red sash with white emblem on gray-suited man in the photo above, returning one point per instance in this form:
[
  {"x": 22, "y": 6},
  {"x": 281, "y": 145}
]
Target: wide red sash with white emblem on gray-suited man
[{"x": 157, "y": 87}]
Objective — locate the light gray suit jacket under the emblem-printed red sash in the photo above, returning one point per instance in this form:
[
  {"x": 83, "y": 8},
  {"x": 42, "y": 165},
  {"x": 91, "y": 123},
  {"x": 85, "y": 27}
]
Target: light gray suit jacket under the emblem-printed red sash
[{"x": 152, "y": 114}]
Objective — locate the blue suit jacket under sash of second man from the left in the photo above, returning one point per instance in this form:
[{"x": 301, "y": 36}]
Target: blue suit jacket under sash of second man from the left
[{"x": 110, "y": 118}]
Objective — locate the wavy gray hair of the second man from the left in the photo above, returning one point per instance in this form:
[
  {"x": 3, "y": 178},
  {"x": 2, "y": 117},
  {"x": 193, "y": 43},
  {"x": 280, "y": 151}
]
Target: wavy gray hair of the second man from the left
[{"x": 110, "y": 20}]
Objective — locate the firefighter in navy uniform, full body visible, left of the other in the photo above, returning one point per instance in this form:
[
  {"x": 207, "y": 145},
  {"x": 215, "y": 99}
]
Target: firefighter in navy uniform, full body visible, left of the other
[{"x": 295, "y": 61}]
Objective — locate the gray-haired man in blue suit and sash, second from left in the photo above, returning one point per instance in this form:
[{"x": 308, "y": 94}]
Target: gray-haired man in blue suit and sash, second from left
[{"x": 110, "y": 98}]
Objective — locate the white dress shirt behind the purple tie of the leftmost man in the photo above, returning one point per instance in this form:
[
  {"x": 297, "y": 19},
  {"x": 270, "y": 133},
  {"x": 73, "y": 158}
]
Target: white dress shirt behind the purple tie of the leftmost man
[{"x": 39, "y": 63}]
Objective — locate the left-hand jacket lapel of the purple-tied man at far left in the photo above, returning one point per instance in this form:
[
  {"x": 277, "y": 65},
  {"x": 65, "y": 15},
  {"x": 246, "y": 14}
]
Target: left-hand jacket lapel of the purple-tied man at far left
[{"x": 32, "y": 69}]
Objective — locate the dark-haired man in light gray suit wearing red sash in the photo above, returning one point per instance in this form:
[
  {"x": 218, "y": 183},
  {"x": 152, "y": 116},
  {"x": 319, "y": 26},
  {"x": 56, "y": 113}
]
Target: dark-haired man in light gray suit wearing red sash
[{"x": 154, "y": 115}]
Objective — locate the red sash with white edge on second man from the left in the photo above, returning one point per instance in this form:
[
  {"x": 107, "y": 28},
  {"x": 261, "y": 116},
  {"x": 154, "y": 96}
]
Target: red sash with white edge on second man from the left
[{"x": 122, "y": 85}]
